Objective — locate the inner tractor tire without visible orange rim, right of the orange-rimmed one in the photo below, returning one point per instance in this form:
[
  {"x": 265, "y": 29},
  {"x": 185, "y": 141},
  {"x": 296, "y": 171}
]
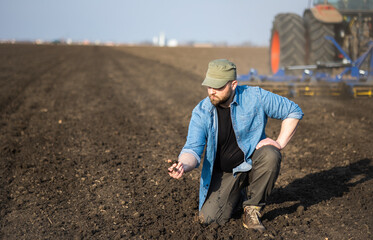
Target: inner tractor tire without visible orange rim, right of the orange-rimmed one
[{"x": 318, "y": 49}]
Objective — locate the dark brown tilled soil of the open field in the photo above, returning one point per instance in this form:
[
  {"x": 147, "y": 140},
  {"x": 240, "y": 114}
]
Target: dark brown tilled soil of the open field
[{"x": 86, "y": 131}]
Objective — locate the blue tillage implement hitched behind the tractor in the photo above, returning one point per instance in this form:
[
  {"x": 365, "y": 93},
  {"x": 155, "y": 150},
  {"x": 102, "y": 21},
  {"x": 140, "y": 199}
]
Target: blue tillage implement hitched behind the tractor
[{"x": 355, "y": 78}]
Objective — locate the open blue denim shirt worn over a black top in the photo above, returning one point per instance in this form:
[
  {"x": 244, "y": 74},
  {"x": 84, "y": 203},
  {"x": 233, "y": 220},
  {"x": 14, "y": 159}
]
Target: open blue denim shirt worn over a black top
[{"x": 250, "y": 109}]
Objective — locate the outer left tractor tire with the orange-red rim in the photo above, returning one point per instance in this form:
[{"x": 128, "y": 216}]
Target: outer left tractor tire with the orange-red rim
[{"x": 287, "y": 46}]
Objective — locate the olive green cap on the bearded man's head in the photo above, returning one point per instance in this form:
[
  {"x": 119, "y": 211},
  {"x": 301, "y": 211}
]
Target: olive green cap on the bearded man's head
[{"x": 219, "y": 72}]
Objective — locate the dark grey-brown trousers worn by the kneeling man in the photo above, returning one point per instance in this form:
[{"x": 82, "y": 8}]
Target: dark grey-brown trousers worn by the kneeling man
[{"x": 226, "y": 192}]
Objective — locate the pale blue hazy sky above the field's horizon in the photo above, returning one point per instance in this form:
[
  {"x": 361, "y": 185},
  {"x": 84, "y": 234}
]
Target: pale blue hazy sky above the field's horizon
[{"x": 135, "y": 21}]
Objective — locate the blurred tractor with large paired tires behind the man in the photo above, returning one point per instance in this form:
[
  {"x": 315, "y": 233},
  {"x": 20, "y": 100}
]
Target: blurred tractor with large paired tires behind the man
[{"x": 297, "y": 40}]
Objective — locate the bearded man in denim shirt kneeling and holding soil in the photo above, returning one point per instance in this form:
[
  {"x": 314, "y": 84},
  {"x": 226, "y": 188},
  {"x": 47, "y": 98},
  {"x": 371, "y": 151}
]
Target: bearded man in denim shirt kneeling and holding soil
[{"x": 230, "y": 125}]
